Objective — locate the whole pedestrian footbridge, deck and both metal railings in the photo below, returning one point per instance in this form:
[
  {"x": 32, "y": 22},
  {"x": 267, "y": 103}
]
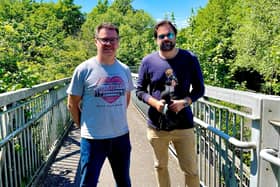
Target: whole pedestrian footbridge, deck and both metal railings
[{"x": 237, "y": 134}]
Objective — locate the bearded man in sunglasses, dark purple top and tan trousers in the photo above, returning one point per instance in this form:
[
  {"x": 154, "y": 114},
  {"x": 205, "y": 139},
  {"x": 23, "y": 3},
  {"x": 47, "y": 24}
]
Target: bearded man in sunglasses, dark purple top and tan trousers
[{"x": 169, "y": 81}]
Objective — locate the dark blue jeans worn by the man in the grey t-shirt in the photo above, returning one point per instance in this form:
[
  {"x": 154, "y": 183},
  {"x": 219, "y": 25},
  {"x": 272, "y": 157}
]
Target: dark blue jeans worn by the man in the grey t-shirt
[{"x": 95, "y": 151}]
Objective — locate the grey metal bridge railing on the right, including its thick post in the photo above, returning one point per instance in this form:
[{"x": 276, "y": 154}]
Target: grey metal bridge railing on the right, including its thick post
[{"x": 232, "y": 135}]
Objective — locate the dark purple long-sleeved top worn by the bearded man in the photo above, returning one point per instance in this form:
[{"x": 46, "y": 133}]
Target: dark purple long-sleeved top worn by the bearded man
[{"x": 152, "y": 82}]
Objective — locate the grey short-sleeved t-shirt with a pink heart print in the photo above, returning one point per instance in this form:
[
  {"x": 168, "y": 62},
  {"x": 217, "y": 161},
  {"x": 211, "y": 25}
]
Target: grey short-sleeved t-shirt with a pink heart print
[{"x": 103, "y": 89}]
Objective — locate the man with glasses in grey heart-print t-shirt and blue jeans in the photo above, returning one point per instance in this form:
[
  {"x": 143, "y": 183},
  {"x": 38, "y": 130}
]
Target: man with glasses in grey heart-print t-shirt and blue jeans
[{"x": 98, "y": 97}]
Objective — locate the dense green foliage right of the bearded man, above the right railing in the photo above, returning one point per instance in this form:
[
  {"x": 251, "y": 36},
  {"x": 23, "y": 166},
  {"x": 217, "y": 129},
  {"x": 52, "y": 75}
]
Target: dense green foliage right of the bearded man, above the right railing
[{"x": 238, "y": 43}]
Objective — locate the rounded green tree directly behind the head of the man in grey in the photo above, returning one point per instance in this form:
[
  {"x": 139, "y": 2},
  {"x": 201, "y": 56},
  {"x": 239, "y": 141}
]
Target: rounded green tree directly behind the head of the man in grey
[{"x": 135, "y": 29}]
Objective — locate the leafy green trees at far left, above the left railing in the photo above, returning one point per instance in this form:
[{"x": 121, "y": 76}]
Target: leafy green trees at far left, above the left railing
[{"x": 33, "y": 40}]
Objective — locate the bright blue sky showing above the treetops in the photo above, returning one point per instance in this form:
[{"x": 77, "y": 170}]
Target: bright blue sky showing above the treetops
[{"x": 157, "y": 8}]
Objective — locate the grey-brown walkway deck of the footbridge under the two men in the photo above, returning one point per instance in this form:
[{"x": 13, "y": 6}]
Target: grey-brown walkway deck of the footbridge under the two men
[{"x": 63, "y": 171}]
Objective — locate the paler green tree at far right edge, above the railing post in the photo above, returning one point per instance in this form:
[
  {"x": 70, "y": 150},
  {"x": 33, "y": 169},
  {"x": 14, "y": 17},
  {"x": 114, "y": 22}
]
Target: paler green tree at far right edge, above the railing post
[{"x": 257, "y": 42}]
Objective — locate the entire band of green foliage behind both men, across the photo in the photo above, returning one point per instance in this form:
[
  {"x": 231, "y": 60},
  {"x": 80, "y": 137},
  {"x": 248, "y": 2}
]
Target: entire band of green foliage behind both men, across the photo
[{"x": 237, "y": 41}]
